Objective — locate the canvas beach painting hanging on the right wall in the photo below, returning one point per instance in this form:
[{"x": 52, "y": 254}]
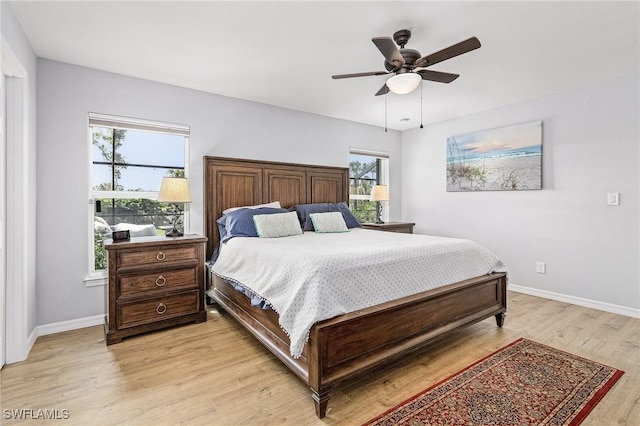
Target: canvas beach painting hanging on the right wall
[{"x": 504, "y": 159}]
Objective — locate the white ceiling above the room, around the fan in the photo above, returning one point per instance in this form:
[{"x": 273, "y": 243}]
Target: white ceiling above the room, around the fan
[{"x": 284, "y": 53}]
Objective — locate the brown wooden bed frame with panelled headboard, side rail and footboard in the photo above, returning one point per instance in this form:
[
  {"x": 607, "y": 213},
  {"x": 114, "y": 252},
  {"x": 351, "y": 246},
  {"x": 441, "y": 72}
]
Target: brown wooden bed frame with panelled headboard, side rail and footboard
[{"x": 352, "y": 343}]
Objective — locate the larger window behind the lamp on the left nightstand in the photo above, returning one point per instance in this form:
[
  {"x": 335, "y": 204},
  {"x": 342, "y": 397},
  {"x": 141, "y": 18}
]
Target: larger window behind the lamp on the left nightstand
[{"x": 129, "y": 158}]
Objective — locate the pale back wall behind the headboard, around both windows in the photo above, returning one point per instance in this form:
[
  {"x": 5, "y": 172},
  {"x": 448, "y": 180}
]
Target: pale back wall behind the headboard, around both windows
[{"x": 220, "y": 126}]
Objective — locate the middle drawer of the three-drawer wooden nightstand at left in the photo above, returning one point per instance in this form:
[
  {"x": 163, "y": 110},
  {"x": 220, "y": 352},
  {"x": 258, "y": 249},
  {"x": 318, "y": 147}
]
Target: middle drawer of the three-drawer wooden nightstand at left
[{"x": 135, "y": 284}]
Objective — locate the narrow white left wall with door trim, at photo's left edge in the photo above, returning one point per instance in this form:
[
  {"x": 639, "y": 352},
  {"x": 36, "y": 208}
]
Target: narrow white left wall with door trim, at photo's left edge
[{"x": 21, "y": 190}]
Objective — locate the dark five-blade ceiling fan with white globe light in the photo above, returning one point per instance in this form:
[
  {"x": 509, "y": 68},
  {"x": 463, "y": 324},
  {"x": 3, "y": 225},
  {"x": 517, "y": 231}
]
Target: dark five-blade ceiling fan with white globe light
[{"x": 408, "y": 66}]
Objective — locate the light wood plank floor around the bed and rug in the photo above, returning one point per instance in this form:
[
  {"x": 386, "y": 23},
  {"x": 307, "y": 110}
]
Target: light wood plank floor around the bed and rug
[{"x": 214, "y": 373}]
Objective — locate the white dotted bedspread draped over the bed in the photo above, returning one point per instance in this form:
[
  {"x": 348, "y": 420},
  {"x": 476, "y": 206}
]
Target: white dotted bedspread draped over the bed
[{"x": 312, "y": 277}]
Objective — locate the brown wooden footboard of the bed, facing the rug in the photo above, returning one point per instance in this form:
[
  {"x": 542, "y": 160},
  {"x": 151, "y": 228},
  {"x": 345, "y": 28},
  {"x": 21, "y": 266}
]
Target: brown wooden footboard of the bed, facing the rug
[{"x": 361, "y": 341}]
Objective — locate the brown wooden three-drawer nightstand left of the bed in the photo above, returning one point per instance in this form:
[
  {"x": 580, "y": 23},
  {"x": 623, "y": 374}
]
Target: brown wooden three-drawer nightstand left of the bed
[{"x": 154, "y": 283}]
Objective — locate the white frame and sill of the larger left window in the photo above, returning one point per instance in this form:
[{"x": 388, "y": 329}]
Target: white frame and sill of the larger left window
[{"x": 99, "y": 277}]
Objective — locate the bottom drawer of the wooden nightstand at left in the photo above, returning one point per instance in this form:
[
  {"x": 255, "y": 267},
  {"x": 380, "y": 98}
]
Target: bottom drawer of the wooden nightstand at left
[{"x": 133, "y": 314}]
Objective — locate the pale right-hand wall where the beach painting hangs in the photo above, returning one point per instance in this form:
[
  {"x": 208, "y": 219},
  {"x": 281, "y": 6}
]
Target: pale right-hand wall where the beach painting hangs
[{"x": 591, "y": 144}]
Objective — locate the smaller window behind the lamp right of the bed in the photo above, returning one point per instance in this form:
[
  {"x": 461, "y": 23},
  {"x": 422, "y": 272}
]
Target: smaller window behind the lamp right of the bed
[{"x": 365, "y": 170}]
